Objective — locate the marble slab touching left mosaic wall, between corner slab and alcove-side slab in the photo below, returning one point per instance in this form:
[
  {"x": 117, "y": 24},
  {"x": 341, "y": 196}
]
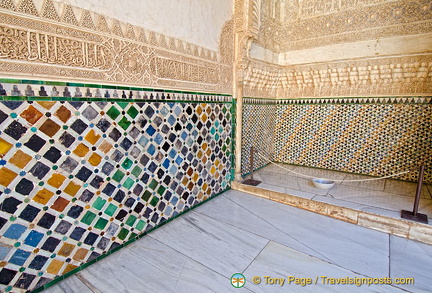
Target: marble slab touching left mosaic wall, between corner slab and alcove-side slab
[{"x": 222, "y": 248}]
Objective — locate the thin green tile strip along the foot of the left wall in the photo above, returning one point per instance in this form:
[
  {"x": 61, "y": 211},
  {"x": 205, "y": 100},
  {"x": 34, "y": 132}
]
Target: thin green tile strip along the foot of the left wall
[{"x": 76, "y": 270}]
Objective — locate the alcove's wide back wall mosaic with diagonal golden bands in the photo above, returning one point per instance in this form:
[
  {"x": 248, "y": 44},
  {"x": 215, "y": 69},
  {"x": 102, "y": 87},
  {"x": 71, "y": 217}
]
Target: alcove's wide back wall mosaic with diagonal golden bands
[{"x": 374, "y": 136}]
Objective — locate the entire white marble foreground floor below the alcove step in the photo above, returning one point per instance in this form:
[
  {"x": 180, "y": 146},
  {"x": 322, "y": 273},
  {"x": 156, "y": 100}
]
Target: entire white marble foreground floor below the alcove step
[{"x": 241, "y": 233}]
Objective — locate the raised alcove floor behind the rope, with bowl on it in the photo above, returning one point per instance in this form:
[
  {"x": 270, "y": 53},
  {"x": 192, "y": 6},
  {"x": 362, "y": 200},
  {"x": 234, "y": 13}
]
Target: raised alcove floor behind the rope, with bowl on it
[{"x": 384, "y": 197}]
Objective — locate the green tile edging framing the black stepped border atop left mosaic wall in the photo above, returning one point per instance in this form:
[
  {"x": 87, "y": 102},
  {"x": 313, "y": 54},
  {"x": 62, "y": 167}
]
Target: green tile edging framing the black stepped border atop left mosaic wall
[{"x": 108, "y": 87}]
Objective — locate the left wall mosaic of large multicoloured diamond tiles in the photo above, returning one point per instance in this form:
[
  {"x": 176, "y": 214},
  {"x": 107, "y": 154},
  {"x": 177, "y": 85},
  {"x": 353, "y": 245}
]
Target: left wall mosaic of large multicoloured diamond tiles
[{"x": 81, "y": 176}]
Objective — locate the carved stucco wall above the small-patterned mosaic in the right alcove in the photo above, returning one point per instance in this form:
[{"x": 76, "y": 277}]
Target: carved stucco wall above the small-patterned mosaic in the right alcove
[{"x": 341, "y": 48}]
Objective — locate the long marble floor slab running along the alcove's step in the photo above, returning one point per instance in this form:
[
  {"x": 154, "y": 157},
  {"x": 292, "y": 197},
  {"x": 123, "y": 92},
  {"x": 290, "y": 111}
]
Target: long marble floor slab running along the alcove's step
[{"x": 363, "y": 250}]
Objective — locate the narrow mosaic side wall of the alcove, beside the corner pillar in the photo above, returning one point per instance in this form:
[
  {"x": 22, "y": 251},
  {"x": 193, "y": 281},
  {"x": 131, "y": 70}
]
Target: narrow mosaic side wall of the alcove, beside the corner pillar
[{"x": 258, "y": 131}]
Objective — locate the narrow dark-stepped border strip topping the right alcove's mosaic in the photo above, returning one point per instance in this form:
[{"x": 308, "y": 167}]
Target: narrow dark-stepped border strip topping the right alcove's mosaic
[{"x": 340, "y": 100}]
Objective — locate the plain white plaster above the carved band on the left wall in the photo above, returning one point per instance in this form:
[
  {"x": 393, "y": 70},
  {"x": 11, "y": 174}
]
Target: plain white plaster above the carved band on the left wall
[{"x": 196, "y": 21}]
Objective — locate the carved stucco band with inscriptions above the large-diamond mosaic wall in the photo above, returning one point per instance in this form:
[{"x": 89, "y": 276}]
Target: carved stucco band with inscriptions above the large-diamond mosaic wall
[{"x": 42, "y": 39}]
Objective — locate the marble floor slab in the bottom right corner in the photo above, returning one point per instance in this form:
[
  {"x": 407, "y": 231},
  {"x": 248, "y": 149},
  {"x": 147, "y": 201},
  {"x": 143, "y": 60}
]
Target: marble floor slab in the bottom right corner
[{"x": 411, "y": 259}]
